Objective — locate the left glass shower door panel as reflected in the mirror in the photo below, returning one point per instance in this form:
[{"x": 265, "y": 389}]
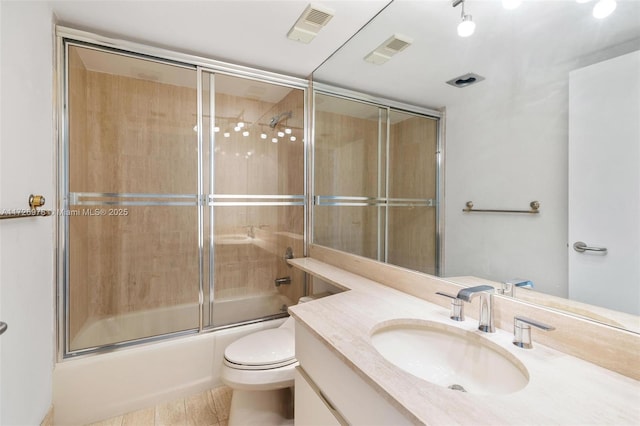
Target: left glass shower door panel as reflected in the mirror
[{"x": 349, "y": 176}]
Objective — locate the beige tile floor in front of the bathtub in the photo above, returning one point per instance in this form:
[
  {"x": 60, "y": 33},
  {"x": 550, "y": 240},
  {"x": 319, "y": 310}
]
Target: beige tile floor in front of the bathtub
[{"x": 210, "y": 408}]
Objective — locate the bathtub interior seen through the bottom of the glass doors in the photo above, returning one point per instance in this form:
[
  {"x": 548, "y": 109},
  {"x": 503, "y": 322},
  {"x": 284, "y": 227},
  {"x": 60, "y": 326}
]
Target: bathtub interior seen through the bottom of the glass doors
[{"x": 102, "y": 331}]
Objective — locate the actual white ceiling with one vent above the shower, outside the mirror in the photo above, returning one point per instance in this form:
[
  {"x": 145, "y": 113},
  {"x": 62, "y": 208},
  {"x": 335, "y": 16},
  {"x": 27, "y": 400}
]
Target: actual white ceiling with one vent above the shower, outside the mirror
[{"x": 251, "y": 33}]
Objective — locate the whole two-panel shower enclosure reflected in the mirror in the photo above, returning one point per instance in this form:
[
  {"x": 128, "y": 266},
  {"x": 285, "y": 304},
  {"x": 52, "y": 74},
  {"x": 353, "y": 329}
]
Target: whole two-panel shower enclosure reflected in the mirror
[{"x": 376, "y": 182}]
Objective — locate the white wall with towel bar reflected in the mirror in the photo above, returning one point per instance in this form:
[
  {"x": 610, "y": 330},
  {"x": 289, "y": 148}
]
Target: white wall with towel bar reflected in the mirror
[{"x": 507, "y": 146}]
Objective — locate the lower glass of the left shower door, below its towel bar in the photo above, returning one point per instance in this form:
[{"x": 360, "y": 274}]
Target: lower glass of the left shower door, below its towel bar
[{"x": 133, "y": 273}]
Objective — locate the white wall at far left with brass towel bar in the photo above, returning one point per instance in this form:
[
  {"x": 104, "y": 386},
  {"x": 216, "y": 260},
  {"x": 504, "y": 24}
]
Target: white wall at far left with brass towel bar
[{"x": 26, "y": 245}]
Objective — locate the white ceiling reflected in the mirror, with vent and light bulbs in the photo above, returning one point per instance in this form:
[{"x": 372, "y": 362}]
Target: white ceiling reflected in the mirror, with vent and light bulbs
[{"x": 515, "y": 50}]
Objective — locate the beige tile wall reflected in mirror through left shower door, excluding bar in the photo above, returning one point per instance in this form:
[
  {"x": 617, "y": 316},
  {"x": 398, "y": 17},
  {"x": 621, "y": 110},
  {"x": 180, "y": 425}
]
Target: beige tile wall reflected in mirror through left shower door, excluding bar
[{"x": 346, "y": 160}]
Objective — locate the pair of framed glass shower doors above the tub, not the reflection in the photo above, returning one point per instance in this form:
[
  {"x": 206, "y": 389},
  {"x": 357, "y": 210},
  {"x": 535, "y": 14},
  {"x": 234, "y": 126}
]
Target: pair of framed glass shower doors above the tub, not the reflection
[{"x": 180, "y": 198}]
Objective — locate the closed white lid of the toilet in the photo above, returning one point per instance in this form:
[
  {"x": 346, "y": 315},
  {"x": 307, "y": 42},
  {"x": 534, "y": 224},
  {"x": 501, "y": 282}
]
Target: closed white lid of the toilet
[{"x": 263, "y": 348}]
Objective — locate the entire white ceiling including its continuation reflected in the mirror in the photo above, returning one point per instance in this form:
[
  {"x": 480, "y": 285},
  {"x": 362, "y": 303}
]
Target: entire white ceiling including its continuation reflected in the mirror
[{"x": 522, "y": 48}]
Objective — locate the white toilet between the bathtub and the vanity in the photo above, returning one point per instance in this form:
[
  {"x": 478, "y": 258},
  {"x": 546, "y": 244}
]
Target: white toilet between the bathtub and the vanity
[{"x": 259, "y": 368}]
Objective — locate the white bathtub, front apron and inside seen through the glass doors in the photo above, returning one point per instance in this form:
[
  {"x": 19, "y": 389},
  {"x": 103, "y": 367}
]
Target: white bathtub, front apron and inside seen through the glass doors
[{"x": 91, "y": 388}]
